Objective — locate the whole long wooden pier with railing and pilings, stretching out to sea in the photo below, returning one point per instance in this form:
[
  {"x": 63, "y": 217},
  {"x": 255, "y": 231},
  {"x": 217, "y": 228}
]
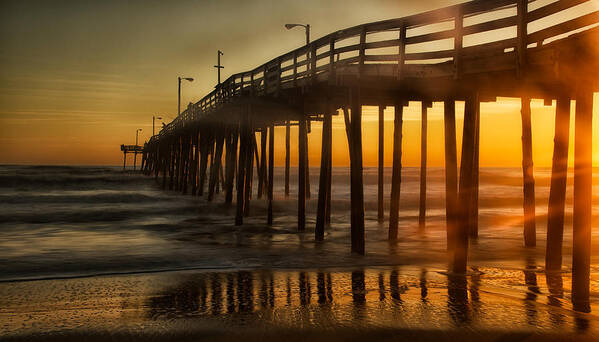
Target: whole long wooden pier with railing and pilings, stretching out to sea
[{"x": 473, "y": 52}]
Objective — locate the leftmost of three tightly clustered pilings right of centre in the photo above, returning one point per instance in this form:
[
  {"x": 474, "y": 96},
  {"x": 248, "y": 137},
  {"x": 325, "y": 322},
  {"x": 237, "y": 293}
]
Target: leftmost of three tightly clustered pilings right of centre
[{"x": 451, "y": 172}]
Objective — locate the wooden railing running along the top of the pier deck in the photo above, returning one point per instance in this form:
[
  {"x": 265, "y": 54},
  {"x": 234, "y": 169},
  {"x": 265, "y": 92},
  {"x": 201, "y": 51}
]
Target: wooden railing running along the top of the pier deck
[{"x": 401, "y": 47}]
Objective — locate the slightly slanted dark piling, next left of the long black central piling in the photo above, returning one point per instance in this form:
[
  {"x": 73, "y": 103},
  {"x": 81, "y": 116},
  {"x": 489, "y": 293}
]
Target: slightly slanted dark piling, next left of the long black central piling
[{"x": 325, "y": 170}]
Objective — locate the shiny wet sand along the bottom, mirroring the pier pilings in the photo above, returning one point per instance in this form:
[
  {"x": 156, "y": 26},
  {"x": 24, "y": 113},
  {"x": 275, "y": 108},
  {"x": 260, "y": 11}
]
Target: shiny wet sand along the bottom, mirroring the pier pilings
[{"x": 375, "y": 303}]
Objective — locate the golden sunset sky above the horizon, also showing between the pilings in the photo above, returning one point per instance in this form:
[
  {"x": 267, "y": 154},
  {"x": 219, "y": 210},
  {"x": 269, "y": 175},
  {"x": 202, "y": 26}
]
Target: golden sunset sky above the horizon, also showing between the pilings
[{"x": 77, "y": 78}]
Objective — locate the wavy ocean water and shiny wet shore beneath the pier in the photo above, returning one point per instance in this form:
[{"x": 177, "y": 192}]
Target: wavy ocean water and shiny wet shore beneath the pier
[{"x": 101, "y": 249}]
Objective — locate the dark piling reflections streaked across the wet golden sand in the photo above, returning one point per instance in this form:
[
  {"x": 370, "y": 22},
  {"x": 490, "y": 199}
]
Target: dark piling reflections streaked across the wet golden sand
[{"x": 381, "y": 297}]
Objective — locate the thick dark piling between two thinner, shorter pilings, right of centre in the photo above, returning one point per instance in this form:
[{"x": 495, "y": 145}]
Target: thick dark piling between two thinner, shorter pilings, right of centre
[{"x": 396, "y": 177}]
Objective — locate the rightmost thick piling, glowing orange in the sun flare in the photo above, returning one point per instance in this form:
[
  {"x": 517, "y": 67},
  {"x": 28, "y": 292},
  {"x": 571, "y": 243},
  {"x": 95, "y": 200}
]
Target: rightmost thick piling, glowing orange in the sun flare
[{"x": 583, "y": 176}]
